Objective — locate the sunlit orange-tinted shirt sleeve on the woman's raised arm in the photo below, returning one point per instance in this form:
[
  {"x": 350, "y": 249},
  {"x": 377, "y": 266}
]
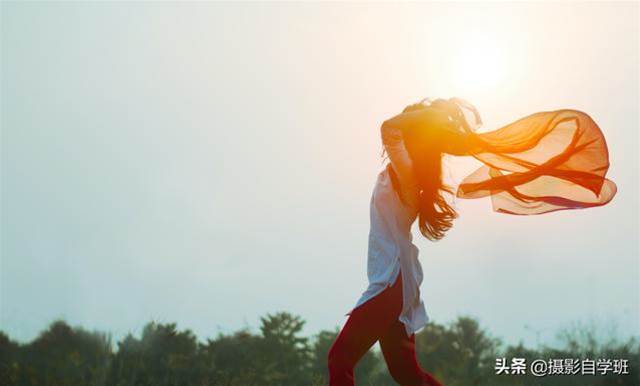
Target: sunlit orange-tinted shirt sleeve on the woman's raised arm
[{"x": 393, "y": 143}]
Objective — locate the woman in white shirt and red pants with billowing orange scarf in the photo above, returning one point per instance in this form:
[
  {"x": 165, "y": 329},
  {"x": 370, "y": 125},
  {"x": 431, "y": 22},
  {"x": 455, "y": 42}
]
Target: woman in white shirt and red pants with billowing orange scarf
[{"x": 544, "y": 162}]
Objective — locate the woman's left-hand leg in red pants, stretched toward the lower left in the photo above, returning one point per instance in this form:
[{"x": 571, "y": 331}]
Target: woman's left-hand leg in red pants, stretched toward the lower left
[{"x": 363, "y": 328}]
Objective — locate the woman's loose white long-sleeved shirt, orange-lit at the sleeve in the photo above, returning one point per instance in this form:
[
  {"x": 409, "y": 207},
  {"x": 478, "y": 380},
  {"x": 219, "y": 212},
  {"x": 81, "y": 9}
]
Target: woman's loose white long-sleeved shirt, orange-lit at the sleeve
[{"x": 391, "y": 249}]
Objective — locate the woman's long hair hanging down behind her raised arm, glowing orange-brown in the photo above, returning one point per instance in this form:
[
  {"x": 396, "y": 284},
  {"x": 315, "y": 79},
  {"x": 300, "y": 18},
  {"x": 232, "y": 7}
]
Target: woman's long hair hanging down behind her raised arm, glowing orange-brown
[{"x": 435, "y": 214}]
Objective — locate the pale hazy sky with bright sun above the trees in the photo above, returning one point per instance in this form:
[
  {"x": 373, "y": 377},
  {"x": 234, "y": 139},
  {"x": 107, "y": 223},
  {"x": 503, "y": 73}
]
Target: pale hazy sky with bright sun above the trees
[{"x": 209, "y": 163}]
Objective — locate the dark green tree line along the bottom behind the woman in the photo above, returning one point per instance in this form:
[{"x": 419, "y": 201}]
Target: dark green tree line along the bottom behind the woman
[{"x": 460, "y": 353}]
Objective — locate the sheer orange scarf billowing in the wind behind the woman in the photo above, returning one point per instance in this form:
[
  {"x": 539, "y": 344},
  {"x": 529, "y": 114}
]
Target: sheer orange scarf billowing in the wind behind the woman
[{"x": 544, "y": 162}]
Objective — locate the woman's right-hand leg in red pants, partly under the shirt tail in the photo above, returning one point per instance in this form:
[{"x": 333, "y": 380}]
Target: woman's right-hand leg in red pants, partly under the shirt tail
[{"x": 400, "y": 354}]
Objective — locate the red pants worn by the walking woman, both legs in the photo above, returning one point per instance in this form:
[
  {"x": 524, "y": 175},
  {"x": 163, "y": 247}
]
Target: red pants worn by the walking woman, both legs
[{"x": 377, "y": 319}]
